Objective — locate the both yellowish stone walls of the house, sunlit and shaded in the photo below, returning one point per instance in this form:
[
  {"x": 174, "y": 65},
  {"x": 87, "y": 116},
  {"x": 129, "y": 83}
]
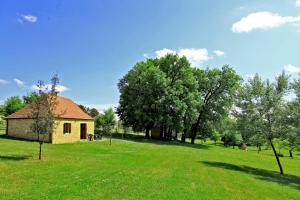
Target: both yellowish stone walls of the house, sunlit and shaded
[{"x": 20, "y": 128}]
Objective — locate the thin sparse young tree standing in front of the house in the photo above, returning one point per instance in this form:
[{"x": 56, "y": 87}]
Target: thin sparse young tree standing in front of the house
[{"x": 42, "y": 111}]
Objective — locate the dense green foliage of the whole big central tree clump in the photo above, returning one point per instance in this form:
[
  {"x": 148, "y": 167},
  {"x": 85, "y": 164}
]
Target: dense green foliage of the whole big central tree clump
[{"x": 169, "y": 94}]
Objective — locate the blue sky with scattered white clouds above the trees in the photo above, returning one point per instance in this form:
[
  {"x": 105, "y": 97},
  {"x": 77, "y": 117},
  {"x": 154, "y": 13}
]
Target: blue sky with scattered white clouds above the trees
[{"x": 91, "y": 44}]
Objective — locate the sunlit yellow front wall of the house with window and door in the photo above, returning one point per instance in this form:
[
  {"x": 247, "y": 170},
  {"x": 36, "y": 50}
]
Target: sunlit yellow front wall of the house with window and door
[{"x": 59, "y": 136}]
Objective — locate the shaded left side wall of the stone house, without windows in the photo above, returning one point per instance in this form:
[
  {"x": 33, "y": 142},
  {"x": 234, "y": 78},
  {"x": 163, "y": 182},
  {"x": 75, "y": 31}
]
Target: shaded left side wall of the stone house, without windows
[{"x": 20, "y": 128}]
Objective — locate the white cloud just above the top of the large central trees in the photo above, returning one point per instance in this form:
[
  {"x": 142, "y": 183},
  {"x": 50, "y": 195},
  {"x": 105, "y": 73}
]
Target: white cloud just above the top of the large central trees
[{"x": 195, "y": 56}]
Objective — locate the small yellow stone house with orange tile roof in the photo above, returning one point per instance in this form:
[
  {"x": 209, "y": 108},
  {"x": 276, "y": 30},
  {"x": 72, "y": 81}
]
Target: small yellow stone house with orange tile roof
[{"x": 72, "y": 125}]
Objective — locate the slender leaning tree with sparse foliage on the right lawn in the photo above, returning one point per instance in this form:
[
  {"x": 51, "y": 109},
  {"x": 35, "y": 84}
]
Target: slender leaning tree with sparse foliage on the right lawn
[{"x": 263, "y": 104}]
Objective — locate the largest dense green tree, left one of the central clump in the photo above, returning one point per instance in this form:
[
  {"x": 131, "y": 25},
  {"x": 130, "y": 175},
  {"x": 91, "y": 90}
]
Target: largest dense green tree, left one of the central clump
[{"x": 159, "y": 92}]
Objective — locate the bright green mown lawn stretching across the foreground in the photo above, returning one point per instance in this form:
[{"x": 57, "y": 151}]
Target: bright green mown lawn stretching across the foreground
[{"x": 143, "y": 170}]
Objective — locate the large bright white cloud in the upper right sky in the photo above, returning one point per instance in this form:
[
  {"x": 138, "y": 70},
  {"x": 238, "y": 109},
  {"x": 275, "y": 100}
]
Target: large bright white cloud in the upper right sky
[{"x": 262, "y": 20}]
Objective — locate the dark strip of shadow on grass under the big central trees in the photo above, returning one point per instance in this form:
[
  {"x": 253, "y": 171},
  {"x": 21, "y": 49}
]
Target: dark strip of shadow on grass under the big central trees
[{"x": 142, "y": 139}]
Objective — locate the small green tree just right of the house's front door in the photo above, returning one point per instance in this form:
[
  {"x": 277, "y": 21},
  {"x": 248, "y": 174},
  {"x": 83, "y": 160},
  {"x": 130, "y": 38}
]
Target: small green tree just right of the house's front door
[{"x": 106, "y": 121}]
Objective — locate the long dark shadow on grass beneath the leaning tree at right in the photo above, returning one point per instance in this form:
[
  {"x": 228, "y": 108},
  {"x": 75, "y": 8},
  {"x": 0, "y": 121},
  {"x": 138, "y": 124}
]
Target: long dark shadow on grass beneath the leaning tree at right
[{"x": 262, "y": 174}]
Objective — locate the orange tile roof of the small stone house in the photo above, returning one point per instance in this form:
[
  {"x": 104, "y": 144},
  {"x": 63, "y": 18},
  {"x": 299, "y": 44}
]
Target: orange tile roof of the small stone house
[{"x": 65, "y": 108}]
